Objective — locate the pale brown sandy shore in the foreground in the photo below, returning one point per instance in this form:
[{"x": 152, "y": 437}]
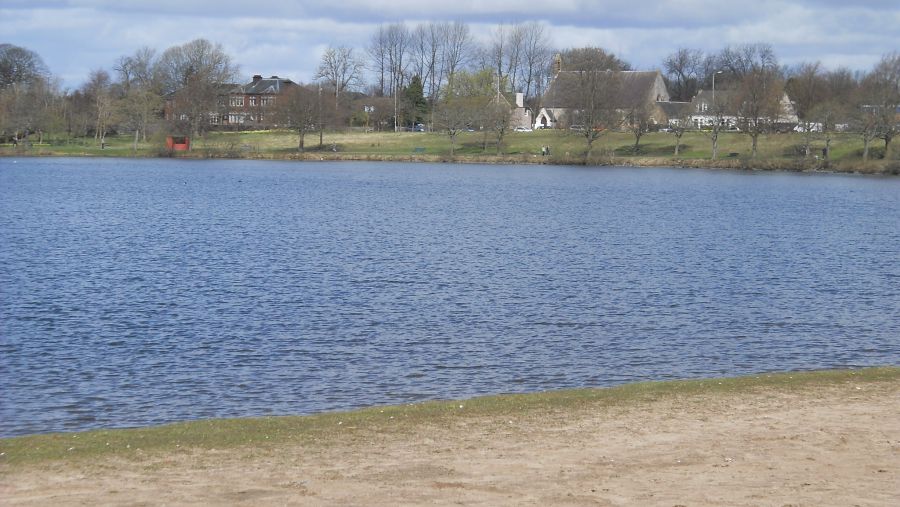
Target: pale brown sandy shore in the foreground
[{"x": 820, "y": 445}]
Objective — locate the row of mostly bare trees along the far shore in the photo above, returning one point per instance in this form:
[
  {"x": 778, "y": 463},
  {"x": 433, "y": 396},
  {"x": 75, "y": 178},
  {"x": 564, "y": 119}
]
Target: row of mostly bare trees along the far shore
[{"x": 435, "y": 73}]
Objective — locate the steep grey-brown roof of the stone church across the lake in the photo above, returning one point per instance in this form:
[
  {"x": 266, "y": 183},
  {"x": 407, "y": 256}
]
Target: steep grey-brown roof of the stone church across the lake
[{"x": 636, "y": 87}]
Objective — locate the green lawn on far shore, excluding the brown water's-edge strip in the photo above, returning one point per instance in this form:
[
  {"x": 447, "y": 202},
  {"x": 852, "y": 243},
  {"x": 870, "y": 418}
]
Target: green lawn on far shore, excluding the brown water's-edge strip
[{"x": 564, "y": 145}]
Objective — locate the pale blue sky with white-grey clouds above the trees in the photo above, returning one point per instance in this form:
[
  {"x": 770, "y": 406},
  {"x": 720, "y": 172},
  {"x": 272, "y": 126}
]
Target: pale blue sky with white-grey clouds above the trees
[{"x": 287, "y": 38}]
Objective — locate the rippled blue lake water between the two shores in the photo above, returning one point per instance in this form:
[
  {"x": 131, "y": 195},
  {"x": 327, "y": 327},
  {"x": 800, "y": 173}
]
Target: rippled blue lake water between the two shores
[{"x": 137, "y": 292}]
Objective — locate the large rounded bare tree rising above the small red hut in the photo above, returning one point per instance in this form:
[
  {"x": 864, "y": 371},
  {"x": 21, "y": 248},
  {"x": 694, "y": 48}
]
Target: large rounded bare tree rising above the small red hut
[{"x": 193, "y": 76}]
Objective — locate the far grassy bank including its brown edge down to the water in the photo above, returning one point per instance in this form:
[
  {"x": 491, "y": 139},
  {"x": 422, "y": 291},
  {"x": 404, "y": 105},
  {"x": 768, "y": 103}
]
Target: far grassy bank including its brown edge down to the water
[{"x": 777, "y": 151}]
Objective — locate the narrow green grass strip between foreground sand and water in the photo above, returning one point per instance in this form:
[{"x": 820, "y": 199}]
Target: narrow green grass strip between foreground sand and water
[{"x": 332, "y": 428}]
